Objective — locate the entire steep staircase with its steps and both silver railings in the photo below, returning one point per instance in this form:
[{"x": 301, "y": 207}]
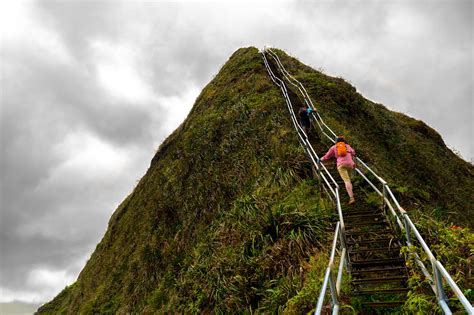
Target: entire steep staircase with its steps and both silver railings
[{"x": 368, "y": 238}]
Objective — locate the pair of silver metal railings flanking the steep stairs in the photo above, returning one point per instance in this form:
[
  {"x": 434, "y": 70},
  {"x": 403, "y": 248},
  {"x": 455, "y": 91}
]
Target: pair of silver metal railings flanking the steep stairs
[{"x": 398, "y": 216}]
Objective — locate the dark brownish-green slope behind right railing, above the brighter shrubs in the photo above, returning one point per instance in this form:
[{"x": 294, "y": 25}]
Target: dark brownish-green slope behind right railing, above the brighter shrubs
[{"x": 404, "y": 151}]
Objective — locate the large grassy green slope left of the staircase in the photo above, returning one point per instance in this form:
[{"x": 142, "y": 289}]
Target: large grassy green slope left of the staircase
[{"x": 224, "y": 219}]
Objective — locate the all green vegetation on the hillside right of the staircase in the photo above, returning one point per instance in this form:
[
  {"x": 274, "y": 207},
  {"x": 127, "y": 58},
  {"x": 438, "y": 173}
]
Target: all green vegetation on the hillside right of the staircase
[{"x": 433, "y": 184}]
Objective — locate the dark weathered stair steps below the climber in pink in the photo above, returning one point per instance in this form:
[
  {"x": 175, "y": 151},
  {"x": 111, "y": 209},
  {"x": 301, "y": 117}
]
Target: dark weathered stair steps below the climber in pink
[{"x": 378, "y": 270}]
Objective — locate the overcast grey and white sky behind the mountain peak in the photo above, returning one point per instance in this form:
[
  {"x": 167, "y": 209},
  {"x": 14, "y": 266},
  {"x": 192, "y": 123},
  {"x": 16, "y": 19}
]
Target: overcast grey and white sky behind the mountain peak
[{"x": 89, "y": 89}]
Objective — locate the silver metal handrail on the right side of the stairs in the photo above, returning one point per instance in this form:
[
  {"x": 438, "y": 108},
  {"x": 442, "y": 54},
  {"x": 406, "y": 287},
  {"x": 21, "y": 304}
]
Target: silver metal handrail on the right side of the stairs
[{"x": 439, "y": 272}]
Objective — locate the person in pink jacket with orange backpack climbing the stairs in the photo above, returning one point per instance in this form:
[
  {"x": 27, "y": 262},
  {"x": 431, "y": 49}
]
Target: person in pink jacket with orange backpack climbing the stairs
[{"x": 344, "y": 161}]
